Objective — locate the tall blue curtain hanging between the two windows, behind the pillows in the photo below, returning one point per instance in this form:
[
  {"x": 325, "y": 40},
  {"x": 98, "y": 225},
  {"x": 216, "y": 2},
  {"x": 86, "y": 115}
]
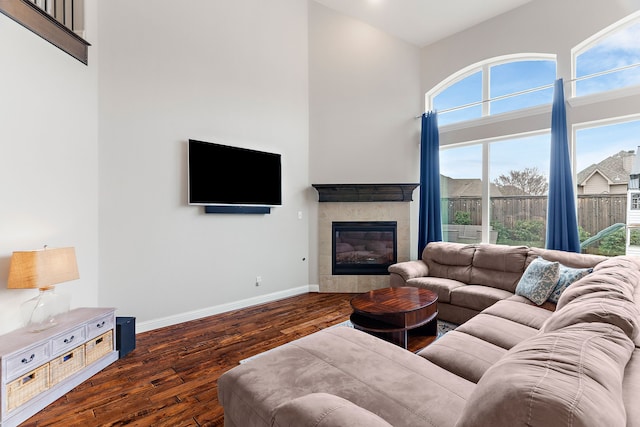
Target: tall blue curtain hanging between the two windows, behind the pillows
[{"x": 562, "y": 224}]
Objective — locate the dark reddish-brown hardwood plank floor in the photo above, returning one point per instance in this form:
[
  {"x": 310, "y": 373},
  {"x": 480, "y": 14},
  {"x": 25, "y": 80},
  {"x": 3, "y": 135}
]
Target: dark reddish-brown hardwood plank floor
[{"x": 170, "y": 378}]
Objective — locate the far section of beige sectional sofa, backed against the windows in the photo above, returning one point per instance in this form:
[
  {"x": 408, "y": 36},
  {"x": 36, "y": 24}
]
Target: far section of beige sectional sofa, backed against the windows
[{"x": 470, "y": 278}]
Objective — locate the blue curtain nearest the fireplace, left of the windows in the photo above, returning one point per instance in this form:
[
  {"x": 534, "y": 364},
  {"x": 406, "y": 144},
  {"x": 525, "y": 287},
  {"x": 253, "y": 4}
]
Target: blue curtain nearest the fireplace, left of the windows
[{"x": 429, "y": 221}]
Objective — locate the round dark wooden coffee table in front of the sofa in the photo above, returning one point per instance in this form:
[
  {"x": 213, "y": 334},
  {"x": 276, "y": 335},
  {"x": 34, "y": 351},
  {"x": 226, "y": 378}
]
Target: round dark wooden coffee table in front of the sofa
[{"x": 390, "y": 313}]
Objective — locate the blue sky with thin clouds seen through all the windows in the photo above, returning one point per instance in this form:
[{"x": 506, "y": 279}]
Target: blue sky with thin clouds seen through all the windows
[{"x": 592, "y": 144}]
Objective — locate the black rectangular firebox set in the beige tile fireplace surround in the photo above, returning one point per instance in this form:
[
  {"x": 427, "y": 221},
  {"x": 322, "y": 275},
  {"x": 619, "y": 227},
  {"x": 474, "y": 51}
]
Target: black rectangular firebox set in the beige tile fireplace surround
[{"x": 363, "y": 247}]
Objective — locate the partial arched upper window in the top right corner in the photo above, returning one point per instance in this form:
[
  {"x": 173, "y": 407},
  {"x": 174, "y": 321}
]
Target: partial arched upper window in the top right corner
[{"x": 609, "y": 60}]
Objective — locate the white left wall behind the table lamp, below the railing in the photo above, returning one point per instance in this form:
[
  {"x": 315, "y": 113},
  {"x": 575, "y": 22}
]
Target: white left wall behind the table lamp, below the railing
[{"x": 48, "y": 160}]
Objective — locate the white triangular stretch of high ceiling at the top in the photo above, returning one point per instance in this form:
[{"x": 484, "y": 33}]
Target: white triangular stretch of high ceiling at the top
[{"x": 422, "y": 22}]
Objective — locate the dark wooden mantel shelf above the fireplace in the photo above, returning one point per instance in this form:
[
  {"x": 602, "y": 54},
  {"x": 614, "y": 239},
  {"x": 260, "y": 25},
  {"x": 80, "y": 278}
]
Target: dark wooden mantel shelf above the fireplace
[{"x": 365, "y": 192}]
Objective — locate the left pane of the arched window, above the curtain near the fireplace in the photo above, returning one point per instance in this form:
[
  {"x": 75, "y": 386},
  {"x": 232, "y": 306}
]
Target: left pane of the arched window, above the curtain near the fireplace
[{"x": 463, "y": 92}]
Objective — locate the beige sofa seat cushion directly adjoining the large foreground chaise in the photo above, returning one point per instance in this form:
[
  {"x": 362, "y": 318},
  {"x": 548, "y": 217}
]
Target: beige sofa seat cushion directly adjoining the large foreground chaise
[{"x": 463, "y": 354}]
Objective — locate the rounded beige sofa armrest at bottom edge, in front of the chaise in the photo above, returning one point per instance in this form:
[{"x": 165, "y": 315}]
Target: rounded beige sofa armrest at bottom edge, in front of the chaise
[{"x": 324, "y": 410}]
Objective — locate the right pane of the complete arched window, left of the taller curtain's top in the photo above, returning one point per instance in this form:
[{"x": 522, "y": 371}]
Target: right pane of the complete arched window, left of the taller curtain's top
[{"x": 513, "y": 77}]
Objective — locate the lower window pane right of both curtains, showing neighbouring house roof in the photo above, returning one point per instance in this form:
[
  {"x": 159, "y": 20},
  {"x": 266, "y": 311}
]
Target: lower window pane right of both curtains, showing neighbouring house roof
[{"x": 602, "y": 181}]
